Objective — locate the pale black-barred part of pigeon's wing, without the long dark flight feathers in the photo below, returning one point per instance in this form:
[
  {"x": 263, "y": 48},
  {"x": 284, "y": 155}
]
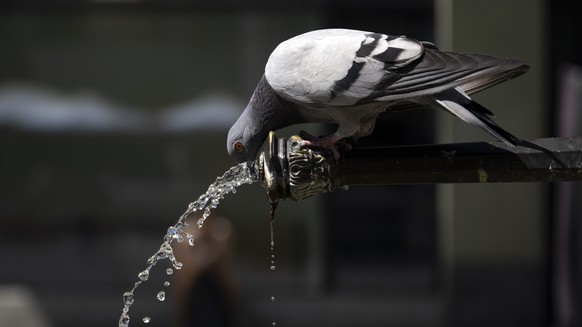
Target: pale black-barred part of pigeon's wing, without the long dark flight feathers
[{"x": 336, "y": 66}]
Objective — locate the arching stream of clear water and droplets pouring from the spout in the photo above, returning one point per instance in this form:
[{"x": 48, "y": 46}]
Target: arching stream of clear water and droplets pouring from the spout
[{"x": 244, "y": 173}]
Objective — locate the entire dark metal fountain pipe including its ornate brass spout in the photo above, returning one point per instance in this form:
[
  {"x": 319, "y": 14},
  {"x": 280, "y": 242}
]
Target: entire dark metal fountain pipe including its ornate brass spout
[{"x": 290, "y": 170}]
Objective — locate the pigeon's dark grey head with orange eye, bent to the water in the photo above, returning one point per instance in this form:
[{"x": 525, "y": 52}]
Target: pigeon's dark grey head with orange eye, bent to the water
[{"x": 245, "y": 138}]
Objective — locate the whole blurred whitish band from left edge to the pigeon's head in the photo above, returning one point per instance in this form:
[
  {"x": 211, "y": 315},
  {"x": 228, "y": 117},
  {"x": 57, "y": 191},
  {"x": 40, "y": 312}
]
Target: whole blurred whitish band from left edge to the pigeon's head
[{"x": 35, "y": 108}]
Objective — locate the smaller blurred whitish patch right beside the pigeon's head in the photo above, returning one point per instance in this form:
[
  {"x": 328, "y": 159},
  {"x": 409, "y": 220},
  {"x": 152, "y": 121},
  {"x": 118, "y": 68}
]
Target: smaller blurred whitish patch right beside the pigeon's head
[{"x": 211, "y": 112}]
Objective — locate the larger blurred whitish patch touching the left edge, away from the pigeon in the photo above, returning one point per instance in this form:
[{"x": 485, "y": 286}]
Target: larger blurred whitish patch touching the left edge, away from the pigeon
[{"x": 34, "y": 108}]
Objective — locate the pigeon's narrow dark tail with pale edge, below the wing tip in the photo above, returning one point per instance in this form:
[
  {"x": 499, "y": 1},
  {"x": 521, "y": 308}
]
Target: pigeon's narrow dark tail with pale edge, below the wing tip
[{"x": 459, "y": 104}]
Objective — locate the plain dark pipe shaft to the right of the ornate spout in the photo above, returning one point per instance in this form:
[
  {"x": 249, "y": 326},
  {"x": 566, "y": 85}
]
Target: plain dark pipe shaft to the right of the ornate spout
[{"x": 543, "y": 160}]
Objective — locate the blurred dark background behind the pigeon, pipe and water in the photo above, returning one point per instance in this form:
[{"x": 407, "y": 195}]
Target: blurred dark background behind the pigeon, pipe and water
[{"x": 113, "y": 117}]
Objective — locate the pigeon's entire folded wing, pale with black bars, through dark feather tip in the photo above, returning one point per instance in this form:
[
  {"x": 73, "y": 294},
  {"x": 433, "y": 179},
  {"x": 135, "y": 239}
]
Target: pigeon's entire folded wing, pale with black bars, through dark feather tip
[{"x": 346, "y": 67}]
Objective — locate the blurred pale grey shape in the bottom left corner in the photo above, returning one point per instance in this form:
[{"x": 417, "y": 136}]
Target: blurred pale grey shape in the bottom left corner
[{"x": 18, "y": 307}]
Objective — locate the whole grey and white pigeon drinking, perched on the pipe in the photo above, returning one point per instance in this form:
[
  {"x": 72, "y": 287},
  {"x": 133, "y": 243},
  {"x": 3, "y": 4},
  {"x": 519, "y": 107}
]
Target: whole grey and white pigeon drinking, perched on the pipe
[{"x": 348, "y": 77}]
